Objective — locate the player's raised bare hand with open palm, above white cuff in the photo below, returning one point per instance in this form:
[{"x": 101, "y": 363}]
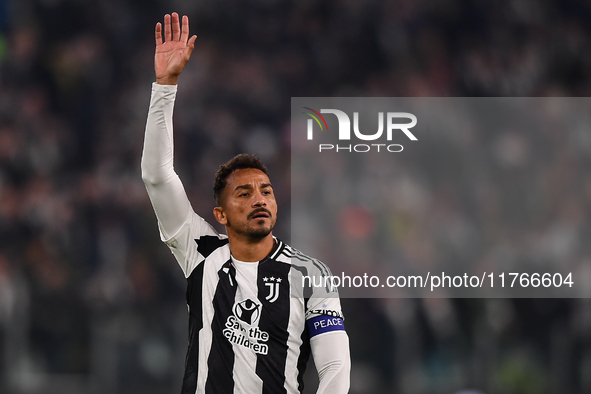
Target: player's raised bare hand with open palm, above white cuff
[{"x": 172, "y": 54}]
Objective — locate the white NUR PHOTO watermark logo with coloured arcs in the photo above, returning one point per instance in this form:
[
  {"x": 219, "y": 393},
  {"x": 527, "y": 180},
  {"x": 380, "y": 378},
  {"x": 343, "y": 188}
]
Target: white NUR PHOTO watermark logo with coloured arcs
[{"x": 395, "y": 122}]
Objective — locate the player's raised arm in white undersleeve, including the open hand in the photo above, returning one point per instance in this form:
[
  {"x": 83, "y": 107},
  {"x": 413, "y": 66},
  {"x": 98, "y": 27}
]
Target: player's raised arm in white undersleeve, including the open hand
[{"x": 164, "y": 187}]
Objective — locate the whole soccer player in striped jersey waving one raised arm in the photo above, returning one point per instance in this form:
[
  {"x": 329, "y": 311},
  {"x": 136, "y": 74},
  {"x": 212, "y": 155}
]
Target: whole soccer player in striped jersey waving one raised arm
[{"x": 250, "y": 329}]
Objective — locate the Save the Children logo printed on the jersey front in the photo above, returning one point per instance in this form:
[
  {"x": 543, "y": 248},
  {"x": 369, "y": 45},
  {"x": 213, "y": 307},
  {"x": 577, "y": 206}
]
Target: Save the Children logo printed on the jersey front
[{"x": 240, "y": 330}]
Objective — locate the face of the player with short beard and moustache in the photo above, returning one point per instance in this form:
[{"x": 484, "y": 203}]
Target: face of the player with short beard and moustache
[{"x": 248, "y": 205}]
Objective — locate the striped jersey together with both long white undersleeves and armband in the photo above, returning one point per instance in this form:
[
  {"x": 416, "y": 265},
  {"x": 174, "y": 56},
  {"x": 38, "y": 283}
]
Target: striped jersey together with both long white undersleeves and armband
[{"x": 251, "y": 325}]
